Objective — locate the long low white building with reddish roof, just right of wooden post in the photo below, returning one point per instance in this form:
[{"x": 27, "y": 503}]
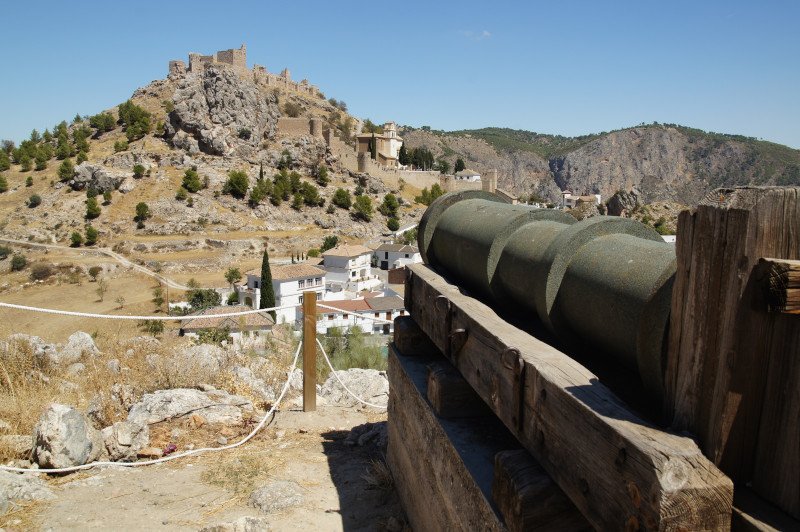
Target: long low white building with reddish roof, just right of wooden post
[{"x": 369, "y": 315}]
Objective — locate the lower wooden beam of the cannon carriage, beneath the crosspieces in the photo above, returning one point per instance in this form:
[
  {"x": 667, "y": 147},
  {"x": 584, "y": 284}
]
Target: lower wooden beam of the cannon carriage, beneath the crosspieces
[{"x": 446, "y": 474}]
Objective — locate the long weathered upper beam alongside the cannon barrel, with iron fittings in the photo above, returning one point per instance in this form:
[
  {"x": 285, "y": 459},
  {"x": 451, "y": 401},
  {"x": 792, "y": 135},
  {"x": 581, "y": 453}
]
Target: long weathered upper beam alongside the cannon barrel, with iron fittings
[{"x": 619, "y": 470}]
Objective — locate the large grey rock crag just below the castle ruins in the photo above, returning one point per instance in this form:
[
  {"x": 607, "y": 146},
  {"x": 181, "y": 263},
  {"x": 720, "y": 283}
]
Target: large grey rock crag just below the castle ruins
[{"x": 219, "y": 113}]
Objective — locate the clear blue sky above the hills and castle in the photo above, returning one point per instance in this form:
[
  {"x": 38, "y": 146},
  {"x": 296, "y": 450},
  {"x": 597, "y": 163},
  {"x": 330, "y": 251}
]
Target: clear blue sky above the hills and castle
[{"x": 568, "y": 67}]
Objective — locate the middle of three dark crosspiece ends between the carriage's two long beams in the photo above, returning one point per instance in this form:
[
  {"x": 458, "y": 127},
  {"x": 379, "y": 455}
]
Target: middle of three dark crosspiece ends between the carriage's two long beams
[{"x": 451, "y": 395}]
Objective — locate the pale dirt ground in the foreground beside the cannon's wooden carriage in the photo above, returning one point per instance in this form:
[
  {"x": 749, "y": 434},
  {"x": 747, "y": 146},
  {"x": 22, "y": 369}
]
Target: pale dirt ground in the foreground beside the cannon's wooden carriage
[{"x": 343, "y": 487}]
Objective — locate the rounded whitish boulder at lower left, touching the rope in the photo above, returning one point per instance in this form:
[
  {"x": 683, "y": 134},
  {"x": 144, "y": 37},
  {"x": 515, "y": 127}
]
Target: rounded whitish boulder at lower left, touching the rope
[{"x": 63, "y": 437}]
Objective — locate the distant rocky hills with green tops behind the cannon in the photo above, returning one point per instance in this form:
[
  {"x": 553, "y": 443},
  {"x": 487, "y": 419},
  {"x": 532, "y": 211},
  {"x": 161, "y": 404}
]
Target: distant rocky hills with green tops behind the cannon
[{"x": 662, "y": 162}]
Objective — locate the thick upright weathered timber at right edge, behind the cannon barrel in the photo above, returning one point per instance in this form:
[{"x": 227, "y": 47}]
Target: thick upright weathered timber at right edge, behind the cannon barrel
[{"x": 733, "y": 368}]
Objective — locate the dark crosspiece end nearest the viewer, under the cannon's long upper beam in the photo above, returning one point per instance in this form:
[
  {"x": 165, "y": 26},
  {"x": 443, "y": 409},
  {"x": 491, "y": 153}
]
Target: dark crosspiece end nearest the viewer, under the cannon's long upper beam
[{"x": 528, "y": 498}]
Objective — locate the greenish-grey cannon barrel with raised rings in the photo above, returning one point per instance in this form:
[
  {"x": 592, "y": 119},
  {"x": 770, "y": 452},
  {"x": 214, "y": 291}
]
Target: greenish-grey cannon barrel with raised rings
[{"x": 603, "y": 282}]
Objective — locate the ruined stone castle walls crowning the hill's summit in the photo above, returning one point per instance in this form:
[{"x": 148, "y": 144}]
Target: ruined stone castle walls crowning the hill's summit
[{"x": 237, "y": 60}]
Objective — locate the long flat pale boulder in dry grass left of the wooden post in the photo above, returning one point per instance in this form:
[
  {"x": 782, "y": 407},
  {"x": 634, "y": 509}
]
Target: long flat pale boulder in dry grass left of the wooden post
[{"x": 216, "y": 406}]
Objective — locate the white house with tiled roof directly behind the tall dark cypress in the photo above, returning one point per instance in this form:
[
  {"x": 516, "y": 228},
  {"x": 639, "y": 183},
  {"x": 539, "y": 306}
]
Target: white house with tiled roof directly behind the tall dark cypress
[{"x": 289, "y": 281}]
